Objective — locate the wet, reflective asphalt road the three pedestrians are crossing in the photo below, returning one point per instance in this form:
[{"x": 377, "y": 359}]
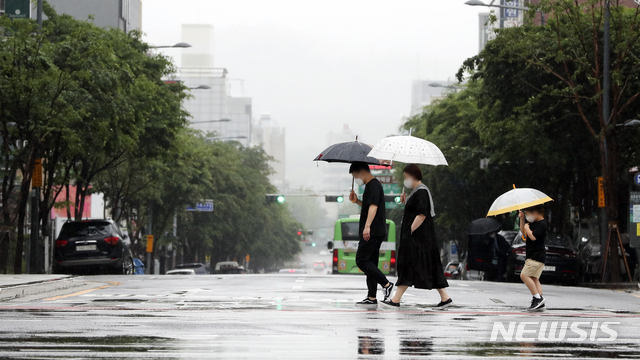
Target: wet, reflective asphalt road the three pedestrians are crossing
[{"x": 299, "y": 317}]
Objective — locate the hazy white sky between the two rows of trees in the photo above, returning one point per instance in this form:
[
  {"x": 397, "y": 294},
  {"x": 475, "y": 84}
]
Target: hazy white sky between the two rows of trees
[{"x": 316, "y": 65}]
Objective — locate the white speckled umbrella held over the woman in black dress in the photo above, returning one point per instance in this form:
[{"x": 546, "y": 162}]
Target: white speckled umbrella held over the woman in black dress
[{"x": 409, "y": 150}]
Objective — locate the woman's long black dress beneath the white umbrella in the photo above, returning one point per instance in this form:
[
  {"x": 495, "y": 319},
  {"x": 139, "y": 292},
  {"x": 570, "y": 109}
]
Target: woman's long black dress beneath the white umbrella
[{"x": 419, "y": 262}]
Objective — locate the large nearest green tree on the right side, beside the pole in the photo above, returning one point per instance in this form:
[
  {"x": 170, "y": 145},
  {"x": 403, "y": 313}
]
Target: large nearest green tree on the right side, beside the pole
[{"x": 549, "y": 78}]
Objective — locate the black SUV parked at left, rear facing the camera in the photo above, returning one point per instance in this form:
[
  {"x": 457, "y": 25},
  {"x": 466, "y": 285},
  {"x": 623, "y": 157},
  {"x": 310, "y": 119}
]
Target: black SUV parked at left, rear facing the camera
[{"x": 92, "y": 245}]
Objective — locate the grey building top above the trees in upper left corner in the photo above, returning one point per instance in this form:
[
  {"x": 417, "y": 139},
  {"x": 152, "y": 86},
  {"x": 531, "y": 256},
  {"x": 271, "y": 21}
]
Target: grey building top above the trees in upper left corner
[{"x": 118, "y": 14}]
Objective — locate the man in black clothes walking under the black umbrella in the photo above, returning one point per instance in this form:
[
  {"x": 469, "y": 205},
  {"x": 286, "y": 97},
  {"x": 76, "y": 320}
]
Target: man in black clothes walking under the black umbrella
[{"x": 373, "y": 231}]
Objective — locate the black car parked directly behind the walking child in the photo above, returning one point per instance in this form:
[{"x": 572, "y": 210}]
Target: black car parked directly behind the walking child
[{"x": 562, "y": 263}]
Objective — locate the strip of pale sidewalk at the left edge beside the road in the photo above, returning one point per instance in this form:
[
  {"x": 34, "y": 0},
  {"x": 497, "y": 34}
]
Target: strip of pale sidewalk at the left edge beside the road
[{"x": 14, "y": 286}]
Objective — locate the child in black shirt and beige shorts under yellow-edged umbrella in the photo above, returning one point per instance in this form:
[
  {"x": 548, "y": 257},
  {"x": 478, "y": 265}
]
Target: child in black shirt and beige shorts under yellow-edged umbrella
[{"x": 534, "y": 232}]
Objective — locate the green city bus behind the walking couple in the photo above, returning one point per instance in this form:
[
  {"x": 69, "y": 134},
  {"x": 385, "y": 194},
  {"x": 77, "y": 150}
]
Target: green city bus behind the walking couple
[{"x": 345, "y": 245}]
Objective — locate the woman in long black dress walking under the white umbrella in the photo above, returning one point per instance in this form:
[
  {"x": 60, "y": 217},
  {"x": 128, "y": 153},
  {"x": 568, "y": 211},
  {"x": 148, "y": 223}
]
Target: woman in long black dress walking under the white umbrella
[{"x": 419, "y": 262}]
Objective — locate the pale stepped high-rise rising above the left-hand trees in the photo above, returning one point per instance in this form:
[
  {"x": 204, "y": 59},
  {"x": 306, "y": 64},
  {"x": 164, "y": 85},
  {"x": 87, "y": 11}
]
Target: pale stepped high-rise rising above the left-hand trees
[{"x": 208, "y": 106}]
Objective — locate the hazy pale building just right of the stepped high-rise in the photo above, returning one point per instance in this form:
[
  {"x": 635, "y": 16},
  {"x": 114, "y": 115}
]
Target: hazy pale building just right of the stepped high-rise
[{"x": 267, "y": 133}]
